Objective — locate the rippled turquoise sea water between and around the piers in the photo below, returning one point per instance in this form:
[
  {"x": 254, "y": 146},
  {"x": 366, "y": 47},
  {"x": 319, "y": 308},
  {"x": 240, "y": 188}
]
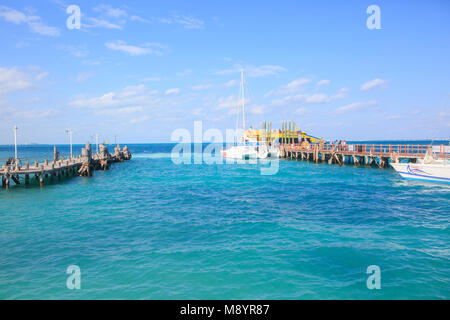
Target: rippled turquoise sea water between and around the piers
[{"x": 151, "y": 229}]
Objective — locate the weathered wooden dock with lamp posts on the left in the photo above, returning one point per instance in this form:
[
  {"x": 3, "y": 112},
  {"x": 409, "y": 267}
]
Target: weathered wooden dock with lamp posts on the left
[{"x": 58, "y": 167}]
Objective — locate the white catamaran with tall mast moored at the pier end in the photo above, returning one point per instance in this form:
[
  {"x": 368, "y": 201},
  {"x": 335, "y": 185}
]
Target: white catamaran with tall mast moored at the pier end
[{"x": 248, "y": 148}]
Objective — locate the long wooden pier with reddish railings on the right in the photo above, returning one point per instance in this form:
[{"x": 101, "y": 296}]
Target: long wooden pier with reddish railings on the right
[{"x": 377, "y": 155}]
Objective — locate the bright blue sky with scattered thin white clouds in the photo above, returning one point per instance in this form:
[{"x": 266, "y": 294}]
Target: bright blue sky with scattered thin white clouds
[{"x": 135, "y": 71}]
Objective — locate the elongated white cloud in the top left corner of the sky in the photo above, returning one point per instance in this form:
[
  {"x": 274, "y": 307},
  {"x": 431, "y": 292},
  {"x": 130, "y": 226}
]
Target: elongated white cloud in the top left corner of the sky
[{"x": 34, "y": 22}]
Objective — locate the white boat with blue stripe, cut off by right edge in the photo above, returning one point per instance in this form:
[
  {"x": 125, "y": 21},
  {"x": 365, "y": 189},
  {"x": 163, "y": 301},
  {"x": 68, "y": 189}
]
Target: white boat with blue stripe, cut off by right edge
[{"x": 427, "y": 169}]
